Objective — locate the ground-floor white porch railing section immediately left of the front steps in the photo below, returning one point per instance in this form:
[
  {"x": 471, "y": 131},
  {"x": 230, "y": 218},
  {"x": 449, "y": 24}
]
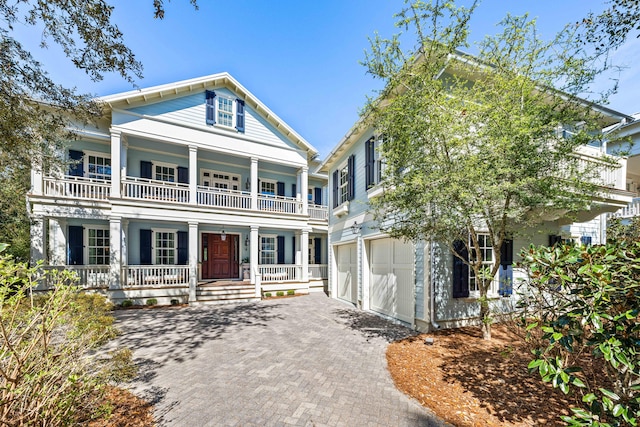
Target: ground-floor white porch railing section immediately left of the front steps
[{"x": 154, "y": 276}]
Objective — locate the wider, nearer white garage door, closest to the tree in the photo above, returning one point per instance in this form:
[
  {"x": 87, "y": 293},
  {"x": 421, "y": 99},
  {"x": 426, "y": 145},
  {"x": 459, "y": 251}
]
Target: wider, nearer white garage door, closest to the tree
[{"x": 392, "y": 279}]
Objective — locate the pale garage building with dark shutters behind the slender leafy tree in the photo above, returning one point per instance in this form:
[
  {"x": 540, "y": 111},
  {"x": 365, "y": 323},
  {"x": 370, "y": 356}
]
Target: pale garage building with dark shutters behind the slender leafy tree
[{"x": 422, "y": 284}]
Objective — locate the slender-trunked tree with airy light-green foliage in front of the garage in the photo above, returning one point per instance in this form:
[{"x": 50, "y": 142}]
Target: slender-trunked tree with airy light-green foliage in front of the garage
[{"x": 479, "y": 144}]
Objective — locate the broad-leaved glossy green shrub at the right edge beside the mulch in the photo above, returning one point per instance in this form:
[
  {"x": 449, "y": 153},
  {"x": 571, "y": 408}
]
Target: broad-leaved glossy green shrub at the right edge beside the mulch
[{"x": 582, "y": 307}]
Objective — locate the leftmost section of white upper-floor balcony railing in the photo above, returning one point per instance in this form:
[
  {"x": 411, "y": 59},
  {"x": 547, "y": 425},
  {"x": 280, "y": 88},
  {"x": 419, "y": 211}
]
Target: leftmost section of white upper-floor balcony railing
[{"x": 77, "y": 187}]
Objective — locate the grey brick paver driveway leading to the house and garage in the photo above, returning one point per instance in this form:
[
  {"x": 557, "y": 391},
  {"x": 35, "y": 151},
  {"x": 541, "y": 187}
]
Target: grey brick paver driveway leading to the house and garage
[{"x": 308, "y": 360}]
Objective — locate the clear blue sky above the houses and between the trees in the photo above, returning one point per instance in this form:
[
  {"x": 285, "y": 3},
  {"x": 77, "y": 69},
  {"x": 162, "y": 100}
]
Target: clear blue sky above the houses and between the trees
[{"x": 301, "y": 58}]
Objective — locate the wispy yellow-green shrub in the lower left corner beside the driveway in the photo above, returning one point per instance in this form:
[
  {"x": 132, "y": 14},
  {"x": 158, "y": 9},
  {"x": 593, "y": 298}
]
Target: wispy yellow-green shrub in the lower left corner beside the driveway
[{"x": 50, "y": 373}]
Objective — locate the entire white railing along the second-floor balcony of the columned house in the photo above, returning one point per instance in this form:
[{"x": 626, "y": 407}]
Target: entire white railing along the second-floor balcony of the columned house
[{"x": 133, "y": 188}]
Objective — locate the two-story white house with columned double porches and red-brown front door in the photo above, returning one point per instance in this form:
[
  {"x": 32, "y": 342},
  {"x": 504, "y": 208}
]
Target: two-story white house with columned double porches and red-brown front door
[{"x": 180, "y": 186}]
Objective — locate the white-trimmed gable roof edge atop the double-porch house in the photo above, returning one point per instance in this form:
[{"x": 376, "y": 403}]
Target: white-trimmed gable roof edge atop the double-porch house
[{"x": 157, "y": 93}]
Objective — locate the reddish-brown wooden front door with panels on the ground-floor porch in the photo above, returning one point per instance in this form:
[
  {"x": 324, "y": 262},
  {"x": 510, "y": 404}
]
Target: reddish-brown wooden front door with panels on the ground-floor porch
[{"x": 219, "y": 257}]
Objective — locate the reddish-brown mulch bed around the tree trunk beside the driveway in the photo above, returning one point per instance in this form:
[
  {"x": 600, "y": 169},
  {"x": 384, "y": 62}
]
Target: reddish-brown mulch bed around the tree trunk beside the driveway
[{"x": 468, "y": 381}]
